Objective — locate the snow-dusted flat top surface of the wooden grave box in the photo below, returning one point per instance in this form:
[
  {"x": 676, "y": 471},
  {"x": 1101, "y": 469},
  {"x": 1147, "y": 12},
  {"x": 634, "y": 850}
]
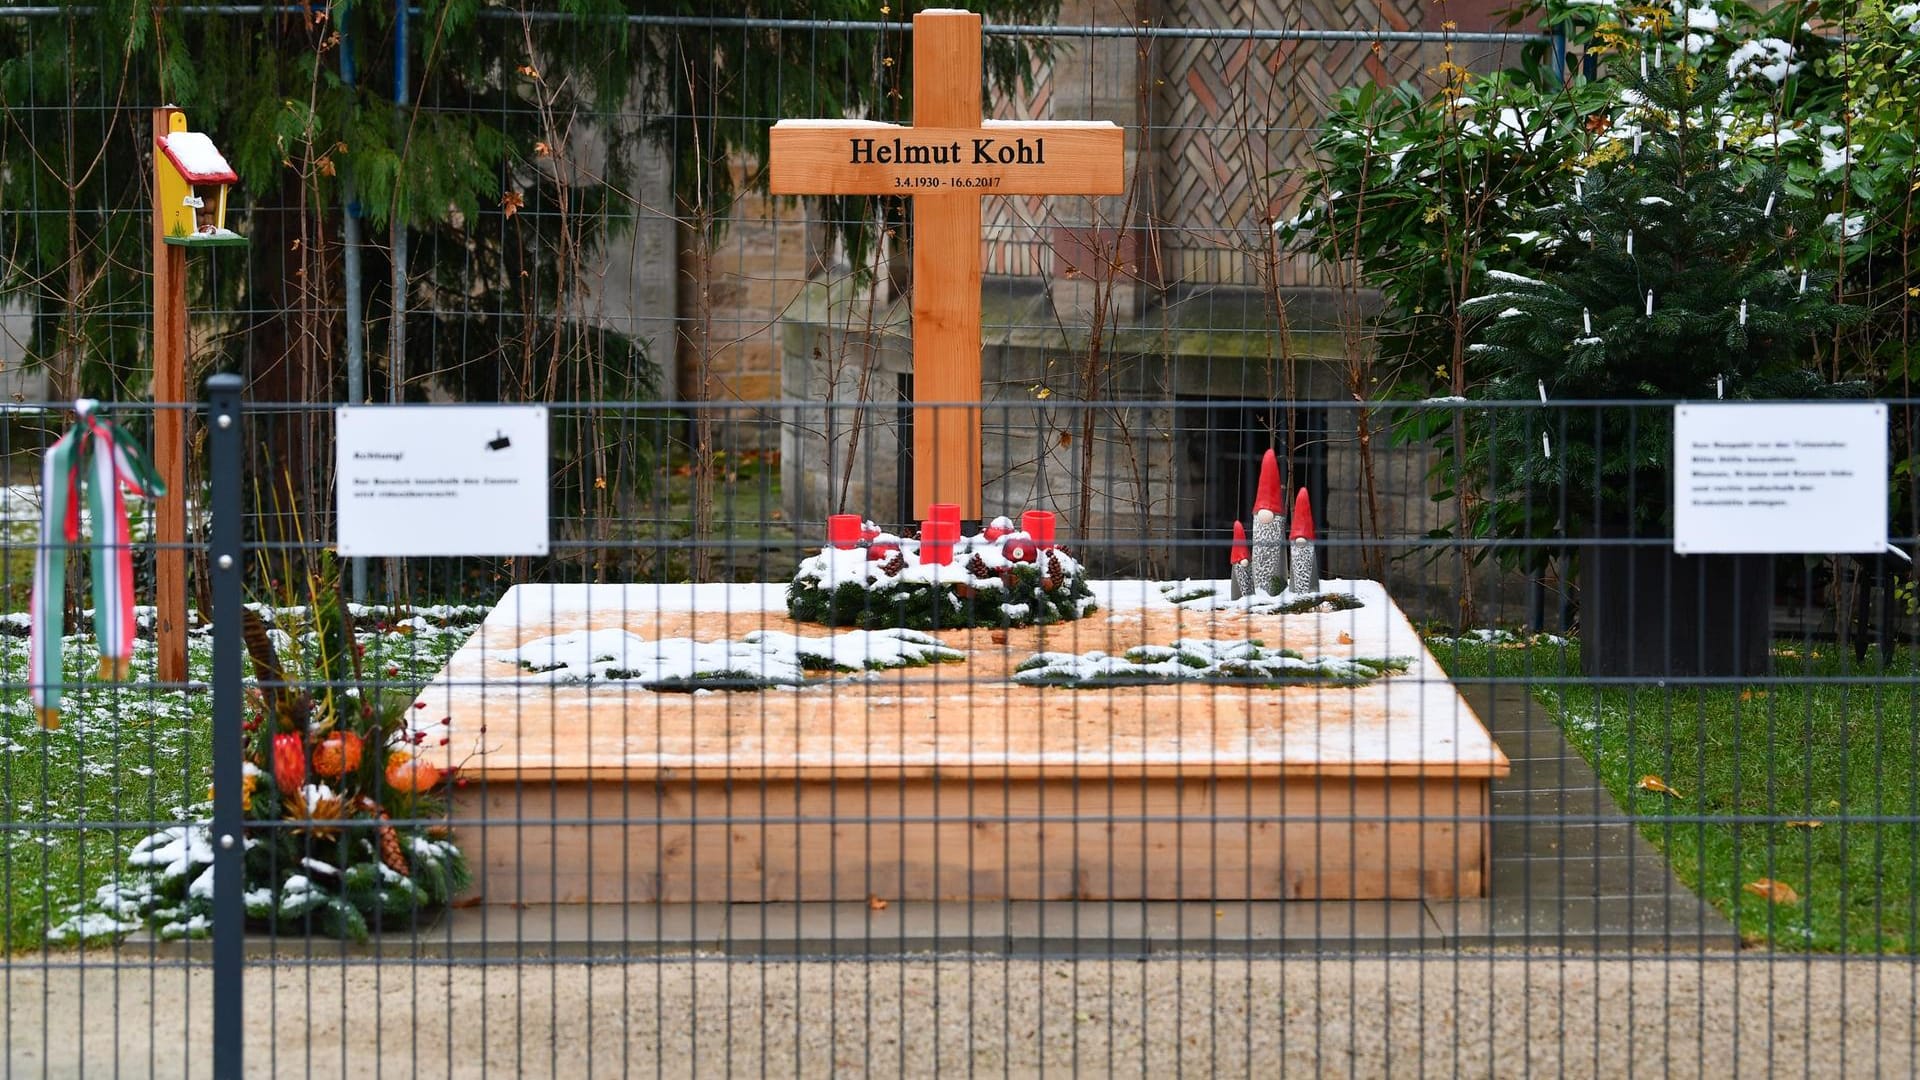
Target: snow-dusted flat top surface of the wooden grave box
[{"x": 961, "y": 718}]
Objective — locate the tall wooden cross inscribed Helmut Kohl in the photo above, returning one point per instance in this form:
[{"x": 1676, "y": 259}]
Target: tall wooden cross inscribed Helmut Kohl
[{"x": 946, "y": 162}]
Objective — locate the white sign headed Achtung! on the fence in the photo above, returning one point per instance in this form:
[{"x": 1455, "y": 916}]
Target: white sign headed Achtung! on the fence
[{"x": 443, "y": 479}]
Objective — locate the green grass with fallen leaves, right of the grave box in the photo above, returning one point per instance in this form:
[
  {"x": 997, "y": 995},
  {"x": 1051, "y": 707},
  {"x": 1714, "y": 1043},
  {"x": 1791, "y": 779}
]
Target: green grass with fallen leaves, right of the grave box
[{"x": 1825, "y": 741}]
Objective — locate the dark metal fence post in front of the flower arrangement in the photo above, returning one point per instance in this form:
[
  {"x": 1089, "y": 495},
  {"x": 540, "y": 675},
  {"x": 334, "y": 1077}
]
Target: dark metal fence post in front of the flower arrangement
[{"x": 229, "y": 847}]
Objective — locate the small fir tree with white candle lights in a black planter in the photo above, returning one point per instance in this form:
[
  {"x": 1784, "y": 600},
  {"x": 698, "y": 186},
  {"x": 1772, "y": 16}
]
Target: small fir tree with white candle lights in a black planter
[{"x": 1671, "y": 268}]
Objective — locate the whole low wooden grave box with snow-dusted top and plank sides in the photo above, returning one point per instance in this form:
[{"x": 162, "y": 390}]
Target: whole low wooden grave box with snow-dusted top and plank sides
[{"x": 951, "y": 781}]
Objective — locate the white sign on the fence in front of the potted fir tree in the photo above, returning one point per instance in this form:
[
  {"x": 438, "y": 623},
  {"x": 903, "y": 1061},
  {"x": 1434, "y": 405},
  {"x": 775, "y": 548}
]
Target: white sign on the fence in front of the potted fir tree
[{"x": 1781, "y": 478}]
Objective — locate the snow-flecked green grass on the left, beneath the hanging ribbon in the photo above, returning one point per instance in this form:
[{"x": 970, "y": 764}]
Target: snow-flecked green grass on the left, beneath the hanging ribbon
[{"x": 128, "y": 756}]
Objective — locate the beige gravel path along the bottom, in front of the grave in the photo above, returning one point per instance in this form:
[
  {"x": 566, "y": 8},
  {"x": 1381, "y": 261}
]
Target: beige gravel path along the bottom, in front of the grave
[{"x": 1502, "y": 1016}]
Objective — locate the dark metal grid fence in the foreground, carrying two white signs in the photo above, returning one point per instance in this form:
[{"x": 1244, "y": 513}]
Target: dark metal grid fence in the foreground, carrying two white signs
[{"x": 861, "y": 871}]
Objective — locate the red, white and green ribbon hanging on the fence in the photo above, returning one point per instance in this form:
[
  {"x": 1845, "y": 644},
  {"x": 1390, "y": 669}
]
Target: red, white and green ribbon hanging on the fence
[{"x": 93, "y": 460}]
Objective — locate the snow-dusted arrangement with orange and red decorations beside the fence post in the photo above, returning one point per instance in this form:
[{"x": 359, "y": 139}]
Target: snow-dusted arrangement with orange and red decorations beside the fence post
[{"x": 341, "y": 793}]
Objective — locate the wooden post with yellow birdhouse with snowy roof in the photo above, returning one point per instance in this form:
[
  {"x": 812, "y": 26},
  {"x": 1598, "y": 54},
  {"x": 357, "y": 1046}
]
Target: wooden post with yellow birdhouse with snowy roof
[{"x": 181, "y": 160}]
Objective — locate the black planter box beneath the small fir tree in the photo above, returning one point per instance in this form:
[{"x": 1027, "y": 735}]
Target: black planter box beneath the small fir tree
[{"x": 1648, "y": 612}]
